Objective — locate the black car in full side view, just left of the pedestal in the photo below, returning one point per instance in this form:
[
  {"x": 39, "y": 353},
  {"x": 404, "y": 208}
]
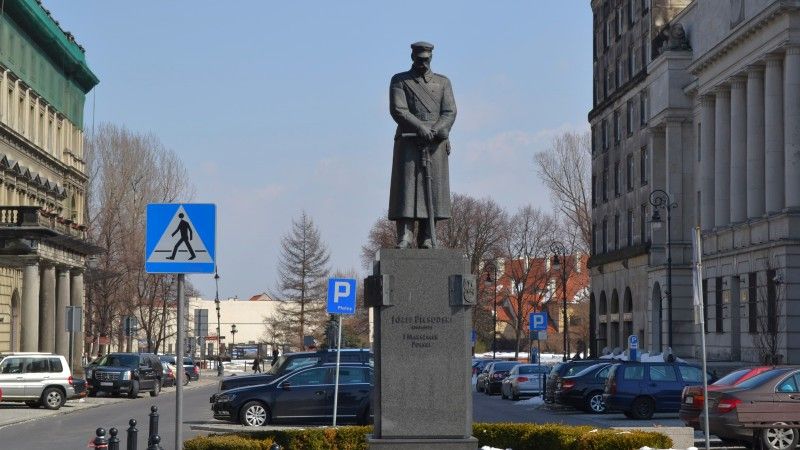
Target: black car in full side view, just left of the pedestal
[{"x": 305, "y": 395}]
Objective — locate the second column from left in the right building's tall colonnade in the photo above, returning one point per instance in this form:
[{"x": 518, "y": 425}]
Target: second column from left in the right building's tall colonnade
[{"x": 722, "y": 158}]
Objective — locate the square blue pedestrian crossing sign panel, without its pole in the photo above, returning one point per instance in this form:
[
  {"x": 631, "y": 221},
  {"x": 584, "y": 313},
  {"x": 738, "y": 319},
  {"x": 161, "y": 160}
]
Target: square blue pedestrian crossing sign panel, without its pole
[{"x": 180, "y": 238}]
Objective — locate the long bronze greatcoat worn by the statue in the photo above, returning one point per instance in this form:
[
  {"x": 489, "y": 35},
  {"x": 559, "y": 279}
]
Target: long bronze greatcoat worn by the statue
[{"x": 407, "y": 191}]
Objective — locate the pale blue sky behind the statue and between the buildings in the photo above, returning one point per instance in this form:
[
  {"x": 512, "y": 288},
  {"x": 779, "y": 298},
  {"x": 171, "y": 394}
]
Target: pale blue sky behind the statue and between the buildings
[{"x": 279, "y": 107}]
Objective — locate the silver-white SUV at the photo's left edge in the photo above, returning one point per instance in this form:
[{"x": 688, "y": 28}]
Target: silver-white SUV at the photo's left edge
[{"x": 38, "y": 379}]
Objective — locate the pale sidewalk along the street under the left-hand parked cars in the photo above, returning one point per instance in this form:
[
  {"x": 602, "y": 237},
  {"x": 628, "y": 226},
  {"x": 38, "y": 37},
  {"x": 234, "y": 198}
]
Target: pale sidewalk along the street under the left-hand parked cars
[{"x": 17, "y": 413}]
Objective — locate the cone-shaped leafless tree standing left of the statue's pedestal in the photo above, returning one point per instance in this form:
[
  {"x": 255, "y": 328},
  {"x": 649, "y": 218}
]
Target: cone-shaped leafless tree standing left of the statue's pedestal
[{"x": 302, "y": 277}]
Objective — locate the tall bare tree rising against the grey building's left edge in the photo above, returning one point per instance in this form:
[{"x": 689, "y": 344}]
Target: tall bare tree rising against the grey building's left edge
[{"x": 566, "y": 169}]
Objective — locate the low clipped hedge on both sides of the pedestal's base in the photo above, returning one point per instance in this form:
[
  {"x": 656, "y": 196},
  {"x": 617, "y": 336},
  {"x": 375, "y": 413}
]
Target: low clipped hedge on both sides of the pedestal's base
[{"x": 516, "y": 436}]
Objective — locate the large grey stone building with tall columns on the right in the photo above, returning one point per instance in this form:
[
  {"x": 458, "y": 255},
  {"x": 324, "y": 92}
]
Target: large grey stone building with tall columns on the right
[{"x": 719, "y": 132}]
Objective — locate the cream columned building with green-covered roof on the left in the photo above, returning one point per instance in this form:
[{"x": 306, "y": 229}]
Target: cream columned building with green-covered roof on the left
[{"x": 43, "y": 249}]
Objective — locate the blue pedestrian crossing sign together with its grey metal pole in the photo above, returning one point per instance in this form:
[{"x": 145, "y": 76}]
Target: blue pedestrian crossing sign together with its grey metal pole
[{"x": 180, "y": 238}]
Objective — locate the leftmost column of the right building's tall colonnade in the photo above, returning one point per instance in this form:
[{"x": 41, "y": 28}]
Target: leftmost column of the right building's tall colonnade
[{"x": 707, "y": 162}]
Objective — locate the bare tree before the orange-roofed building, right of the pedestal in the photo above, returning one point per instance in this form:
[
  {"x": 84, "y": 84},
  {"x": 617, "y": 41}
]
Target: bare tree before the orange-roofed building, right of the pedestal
[{"x": 526, "y": 276}]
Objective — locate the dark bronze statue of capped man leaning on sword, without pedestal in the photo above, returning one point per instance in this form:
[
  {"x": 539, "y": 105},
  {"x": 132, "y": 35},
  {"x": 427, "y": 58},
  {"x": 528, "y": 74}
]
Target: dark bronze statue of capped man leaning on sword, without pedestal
[{"x": 422, "y": 104}]
